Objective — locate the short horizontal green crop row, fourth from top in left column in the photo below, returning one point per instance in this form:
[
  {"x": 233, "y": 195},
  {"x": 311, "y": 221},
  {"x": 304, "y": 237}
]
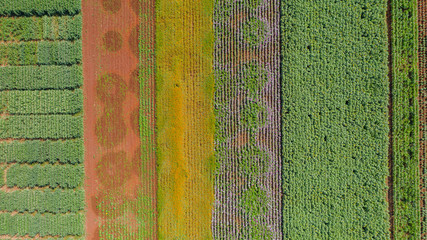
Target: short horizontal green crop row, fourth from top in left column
[{"x": 40, "y": 77}]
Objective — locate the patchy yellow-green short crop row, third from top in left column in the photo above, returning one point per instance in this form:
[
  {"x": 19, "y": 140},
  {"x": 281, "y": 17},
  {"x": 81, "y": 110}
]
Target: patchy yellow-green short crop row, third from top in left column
[{"x": 41, "y": 53}]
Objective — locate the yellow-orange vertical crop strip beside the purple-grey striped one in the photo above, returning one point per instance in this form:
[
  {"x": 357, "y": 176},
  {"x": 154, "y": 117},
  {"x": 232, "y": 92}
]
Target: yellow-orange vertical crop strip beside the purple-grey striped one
[{"x": 184, "y": 118}]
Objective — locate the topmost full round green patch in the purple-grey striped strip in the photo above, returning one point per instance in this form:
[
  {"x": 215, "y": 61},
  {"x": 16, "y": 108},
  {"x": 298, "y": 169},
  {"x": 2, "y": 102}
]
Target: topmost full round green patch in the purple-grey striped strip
[{"x": 254, "y": 32}]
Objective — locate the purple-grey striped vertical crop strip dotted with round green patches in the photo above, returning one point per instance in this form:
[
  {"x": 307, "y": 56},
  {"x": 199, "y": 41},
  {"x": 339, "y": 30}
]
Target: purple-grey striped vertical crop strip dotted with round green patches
[{"x": 248, "y": 202}]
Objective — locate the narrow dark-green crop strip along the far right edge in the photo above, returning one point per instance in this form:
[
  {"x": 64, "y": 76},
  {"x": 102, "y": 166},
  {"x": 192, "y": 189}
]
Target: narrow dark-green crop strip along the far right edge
[{"x": 406, "y": 176}]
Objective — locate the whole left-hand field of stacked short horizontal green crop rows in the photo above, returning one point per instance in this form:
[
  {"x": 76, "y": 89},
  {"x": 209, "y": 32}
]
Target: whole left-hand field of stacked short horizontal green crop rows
[{"x": 41, "y": 124}]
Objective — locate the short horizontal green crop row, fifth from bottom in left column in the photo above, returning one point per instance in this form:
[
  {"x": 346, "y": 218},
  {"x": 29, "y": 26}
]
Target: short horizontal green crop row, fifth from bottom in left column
[{"x": 41, "y": 126}]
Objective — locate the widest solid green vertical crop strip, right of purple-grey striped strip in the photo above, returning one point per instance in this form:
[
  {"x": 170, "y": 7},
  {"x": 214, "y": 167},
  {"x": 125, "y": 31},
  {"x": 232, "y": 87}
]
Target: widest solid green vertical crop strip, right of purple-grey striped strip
[{"x": 335, "y": 119}]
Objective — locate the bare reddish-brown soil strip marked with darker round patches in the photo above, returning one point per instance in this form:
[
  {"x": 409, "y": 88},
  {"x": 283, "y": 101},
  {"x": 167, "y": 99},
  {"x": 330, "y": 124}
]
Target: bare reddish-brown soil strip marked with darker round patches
[{"x": 110, "y": 144}]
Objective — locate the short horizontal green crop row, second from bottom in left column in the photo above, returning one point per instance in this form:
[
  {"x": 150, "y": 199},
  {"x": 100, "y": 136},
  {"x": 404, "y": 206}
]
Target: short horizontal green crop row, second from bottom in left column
[{"x": 42, "y": 201}]
